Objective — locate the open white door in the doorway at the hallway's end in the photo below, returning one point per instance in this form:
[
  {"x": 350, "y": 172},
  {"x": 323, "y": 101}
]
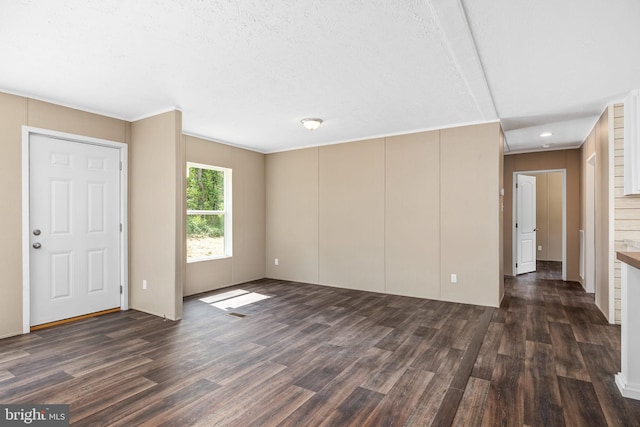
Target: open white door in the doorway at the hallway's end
[{"x": 526, "y": 224}]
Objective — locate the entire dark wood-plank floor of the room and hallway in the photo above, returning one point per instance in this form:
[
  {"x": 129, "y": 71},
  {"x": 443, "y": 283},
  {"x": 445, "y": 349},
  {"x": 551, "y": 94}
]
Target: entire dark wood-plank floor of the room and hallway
[{"x": 311, "y": 355}]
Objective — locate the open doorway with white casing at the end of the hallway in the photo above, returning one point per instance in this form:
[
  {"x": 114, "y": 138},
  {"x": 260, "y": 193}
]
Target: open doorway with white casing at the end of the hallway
[{"x": 549, "y": 224}]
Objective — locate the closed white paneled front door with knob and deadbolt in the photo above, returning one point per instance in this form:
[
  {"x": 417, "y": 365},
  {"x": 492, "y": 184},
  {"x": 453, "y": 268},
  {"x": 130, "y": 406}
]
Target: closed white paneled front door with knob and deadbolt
[{"x": 74, "y": 205}]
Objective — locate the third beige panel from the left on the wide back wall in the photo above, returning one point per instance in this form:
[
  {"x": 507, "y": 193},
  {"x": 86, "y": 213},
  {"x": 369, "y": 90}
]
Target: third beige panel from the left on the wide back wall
[{"x": 412, "y": 217}]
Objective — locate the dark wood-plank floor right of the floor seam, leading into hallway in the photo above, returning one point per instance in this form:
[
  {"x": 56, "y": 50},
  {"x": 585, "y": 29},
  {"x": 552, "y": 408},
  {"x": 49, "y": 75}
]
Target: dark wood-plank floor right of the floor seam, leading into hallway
[{"x": 549, "y": 357}]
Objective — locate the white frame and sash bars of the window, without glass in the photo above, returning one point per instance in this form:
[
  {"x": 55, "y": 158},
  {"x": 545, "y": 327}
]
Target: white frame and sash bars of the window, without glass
[{"x": 226, "y": 212}]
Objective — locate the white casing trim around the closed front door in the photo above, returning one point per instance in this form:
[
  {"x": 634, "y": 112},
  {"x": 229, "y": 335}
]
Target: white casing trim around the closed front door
[{"x": 27, "y": 131}]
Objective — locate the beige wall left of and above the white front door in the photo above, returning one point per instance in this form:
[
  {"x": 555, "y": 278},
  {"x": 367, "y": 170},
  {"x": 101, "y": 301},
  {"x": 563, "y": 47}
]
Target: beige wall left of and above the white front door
[{"x": 15, "y": 112}]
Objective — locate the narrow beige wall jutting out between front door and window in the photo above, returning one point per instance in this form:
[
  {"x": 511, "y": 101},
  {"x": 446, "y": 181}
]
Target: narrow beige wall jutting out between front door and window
[{"x": 157, "y": 215}]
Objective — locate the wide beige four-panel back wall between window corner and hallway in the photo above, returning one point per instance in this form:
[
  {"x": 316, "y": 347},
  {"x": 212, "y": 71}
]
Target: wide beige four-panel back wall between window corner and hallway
[{"x": 395, "y": 215}]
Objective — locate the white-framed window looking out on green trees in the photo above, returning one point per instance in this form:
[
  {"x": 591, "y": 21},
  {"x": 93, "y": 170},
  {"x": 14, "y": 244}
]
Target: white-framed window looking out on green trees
[{"x": 208, "y": 212}]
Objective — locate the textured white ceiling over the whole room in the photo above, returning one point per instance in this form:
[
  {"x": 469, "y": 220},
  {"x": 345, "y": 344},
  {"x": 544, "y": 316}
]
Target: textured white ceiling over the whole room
[{"x": 246, "y": 72}]
